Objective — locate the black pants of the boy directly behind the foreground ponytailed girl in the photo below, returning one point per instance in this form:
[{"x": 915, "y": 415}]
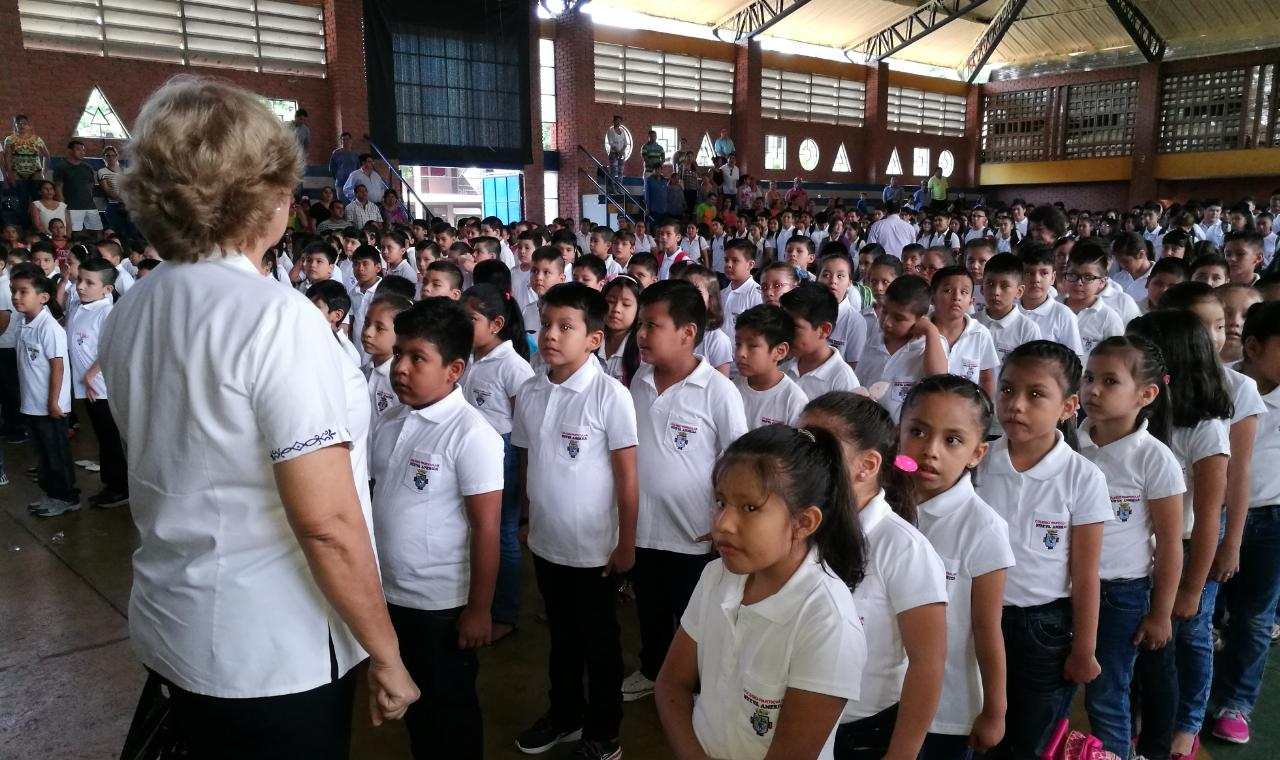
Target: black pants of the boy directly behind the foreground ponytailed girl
[{"x": 664, "y": 583}]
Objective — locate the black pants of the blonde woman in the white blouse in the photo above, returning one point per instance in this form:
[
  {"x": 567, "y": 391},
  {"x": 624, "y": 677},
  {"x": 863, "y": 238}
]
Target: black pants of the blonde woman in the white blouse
[{"x": 309, "y": 726}]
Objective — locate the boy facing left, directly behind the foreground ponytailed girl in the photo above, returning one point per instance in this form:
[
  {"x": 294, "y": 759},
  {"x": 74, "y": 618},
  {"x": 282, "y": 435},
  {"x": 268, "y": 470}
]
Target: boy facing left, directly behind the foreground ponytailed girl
[{"x": 687, "y": 415}]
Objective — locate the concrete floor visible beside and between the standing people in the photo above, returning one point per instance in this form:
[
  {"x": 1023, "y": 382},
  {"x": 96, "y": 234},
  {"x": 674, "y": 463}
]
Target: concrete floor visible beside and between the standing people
[{"x": 70, "y": 683}]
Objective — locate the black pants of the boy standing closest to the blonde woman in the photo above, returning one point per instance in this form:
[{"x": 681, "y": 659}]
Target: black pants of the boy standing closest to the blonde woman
[{"x": 446, "y": 721}]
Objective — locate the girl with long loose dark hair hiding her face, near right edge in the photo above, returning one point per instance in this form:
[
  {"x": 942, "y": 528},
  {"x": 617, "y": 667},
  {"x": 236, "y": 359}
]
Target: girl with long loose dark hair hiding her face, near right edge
[{"x": 1201, "y": 441}]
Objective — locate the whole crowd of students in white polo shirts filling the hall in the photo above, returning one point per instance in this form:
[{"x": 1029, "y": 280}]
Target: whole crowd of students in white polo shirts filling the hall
[{"x": 845, "y": 482}]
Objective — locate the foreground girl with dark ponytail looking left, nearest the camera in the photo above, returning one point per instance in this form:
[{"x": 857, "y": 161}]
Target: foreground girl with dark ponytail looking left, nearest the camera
[{"x": 771, "y": 624}]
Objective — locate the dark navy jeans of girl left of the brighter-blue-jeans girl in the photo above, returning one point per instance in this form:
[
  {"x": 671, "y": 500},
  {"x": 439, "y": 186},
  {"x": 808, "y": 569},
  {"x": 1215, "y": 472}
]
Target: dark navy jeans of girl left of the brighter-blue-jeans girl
[{"x": 1037, "y": 643}]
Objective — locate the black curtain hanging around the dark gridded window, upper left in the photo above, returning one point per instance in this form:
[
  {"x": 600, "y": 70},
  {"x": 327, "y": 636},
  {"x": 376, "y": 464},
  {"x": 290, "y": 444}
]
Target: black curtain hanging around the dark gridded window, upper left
[{"x": 449, "y": 81}]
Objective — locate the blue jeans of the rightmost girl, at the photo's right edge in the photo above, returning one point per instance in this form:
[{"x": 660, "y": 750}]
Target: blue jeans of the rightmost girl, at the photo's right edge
[{"x": 1258, "y": 589}]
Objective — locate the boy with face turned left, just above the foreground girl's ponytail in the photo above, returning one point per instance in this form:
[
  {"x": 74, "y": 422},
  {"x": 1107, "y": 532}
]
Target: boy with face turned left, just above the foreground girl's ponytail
[{"x": 817, "y": 367}]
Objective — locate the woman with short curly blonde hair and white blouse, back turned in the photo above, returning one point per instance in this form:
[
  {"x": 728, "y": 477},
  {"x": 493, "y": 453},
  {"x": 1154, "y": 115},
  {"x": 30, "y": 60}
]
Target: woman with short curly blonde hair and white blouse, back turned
[{"x": 255, "y": 589}]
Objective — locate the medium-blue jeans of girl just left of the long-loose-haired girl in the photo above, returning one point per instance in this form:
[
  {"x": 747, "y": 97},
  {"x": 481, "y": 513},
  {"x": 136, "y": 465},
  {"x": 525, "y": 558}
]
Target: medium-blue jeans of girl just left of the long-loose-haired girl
[{"x": 1107, "y": 699}]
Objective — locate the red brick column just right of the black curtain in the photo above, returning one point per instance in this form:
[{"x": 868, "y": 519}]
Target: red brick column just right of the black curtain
[{"x": 575, "y": 94}]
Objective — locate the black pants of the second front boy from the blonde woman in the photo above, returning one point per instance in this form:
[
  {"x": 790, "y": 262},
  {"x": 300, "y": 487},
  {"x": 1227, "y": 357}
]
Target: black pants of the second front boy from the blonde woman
[{"x": 586, "y": 634}]
